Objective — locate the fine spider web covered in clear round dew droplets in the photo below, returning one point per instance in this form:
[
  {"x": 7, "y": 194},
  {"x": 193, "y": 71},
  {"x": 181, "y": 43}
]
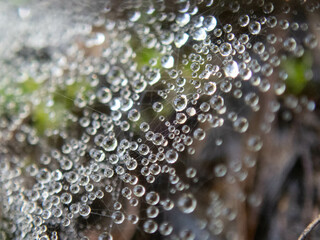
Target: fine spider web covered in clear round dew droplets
[{"x": 146, "y": 119}]
